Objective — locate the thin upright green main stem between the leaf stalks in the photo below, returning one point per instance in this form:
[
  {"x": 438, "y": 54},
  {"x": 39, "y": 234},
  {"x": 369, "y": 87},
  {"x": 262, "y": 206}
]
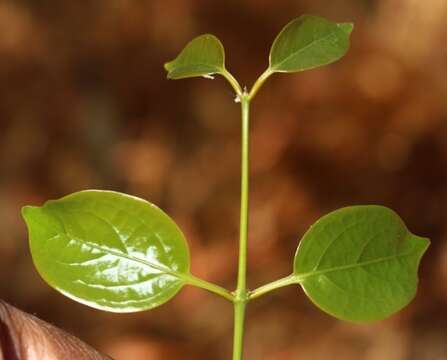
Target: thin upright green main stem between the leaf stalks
[{"x": 241, "y": 294}]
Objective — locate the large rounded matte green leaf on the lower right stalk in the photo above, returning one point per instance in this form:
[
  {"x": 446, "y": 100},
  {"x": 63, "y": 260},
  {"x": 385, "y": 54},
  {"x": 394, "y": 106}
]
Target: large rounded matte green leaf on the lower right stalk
[{"x": 359, "y": 263}]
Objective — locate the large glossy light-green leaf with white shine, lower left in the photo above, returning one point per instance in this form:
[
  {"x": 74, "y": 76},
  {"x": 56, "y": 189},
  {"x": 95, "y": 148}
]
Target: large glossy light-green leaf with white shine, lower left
[{"x": 108, "y": 250}]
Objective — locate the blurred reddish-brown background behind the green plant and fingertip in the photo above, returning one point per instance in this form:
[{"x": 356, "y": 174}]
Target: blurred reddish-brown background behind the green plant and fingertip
[{"x": 84, "y": 103}]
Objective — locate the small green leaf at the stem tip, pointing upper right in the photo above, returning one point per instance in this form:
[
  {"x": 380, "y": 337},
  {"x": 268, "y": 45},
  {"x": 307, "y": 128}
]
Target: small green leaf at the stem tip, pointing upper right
[{"x": 308, "y": 42}]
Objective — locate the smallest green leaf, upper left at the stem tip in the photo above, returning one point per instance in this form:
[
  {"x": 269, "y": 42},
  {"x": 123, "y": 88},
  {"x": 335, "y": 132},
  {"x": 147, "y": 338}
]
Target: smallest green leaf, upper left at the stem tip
[{"x": 202, "y": 56}]
